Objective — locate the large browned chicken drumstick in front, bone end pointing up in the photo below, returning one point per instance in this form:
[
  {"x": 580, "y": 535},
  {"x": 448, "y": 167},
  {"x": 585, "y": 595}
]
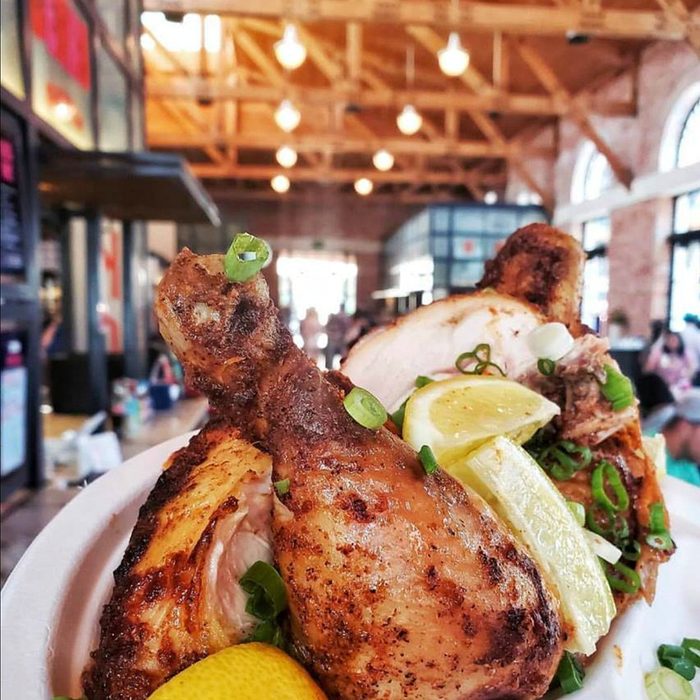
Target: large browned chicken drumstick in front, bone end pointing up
[{"x": 400, "y": 585}]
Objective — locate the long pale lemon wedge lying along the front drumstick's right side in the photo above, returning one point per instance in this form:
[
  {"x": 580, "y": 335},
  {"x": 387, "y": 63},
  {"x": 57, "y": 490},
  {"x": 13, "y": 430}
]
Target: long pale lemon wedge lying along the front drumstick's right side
[{"x": 528, "y": 502}]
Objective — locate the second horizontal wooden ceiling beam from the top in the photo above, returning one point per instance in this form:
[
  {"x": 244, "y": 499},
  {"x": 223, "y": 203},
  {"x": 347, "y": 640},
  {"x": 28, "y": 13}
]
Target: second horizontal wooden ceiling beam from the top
[{"x": 176, "y": 87}]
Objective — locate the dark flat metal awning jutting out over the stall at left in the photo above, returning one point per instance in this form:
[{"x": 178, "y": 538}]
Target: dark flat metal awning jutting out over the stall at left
[{"x": 141, "y": 186}]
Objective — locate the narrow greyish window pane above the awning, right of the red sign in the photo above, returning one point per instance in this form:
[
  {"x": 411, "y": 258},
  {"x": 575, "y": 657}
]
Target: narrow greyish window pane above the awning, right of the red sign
[{"x": 112, "y": 100}]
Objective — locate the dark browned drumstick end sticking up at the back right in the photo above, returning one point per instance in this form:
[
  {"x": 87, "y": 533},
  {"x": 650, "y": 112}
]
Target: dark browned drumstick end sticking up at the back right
[{"x": 541, "y": 265}]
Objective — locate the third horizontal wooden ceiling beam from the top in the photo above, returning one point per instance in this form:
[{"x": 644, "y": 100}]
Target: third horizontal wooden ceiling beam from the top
[{"x": 339, "y": 143}]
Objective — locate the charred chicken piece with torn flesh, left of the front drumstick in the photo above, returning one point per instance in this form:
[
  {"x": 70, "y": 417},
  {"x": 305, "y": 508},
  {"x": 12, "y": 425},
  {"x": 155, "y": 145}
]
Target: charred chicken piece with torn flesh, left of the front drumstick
[{"x": 174, "y": 598}]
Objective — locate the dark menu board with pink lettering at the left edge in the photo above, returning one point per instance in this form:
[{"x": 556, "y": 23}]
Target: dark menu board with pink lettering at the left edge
[{"x": 11, "y": 243}]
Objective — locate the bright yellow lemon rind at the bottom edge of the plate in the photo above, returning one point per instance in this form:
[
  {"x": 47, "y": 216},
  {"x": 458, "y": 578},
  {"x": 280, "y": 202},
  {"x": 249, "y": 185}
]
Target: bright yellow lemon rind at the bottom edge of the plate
[{"x": 244, "y": 672}]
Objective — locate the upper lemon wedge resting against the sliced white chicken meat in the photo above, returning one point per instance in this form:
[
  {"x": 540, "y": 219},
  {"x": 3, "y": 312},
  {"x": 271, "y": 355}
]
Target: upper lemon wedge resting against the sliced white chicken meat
[{"x": 453, "y": 416}]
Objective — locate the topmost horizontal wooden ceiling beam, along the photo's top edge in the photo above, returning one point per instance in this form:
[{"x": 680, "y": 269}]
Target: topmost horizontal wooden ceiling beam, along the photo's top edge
[{"x": 483, "y": 17}]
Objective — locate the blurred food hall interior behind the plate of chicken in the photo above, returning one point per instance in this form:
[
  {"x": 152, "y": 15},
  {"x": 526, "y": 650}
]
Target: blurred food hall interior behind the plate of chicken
[{"x": 384, "y": 150}]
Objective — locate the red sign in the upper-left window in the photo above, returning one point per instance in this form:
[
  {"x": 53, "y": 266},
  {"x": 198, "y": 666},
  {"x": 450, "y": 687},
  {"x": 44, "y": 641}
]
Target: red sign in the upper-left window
[{"x": 65, "y": 34}]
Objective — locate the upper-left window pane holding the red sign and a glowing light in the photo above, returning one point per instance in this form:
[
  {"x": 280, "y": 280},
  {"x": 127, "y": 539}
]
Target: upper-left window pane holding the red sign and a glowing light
[{"x": 61, "y": 69}]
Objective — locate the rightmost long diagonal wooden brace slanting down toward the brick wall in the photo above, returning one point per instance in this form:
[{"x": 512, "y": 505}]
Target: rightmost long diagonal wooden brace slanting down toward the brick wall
[{"x": 547, "y": 76}]
